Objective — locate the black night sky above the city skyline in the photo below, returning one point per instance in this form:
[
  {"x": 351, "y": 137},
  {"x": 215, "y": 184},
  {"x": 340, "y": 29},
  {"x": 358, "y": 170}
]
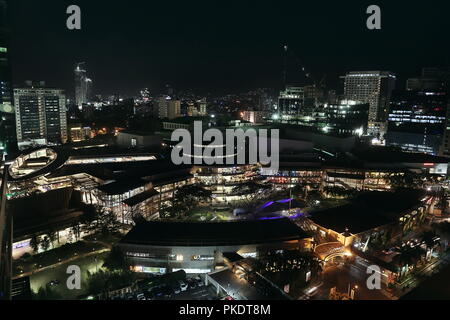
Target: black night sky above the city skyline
[{"x": 221, "y": 45}]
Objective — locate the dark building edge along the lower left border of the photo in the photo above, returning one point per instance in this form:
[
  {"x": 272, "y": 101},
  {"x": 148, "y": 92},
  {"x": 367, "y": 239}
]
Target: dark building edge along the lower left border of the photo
[{"x": 6, "y": 234}]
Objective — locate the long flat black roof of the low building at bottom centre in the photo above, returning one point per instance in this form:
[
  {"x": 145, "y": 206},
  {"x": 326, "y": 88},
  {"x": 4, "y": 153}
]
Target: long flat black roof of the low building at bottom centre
[{"x": 213, "y": 234}]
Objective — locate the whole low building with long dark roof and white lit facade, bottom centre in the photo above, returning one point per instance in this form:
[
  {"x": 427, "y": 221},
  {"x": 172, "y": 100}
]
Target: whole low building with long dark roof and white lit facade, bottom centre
[{"x": 163, "y": 247}]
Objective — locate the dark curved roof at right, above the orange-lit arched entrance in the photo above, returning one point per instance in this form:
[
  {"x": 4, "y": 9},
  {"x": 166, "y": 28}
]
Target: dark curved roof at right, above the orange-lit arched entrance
[{"x": 368, "y": 211}]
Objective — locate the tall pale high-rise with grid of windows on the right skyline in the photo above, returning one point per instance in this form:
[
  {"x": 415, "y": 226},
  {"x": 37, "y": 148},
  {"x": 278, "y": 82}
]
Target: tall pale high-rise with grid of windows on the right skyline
[{"x": 375, "y": 88}]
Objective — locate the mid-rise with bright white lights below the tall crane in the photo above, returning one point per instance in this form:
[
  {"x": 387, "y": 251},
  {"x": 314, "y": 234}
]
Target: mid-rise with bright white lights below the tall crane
[{"x": 290, "y": 103}]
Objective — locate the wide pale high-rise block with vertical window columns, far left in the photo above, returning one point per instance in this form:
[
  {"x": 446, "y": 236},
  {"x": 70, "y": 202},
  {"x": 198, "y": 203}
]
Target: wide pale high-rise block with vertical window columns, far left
[{"x": 40, "y": 115}]
